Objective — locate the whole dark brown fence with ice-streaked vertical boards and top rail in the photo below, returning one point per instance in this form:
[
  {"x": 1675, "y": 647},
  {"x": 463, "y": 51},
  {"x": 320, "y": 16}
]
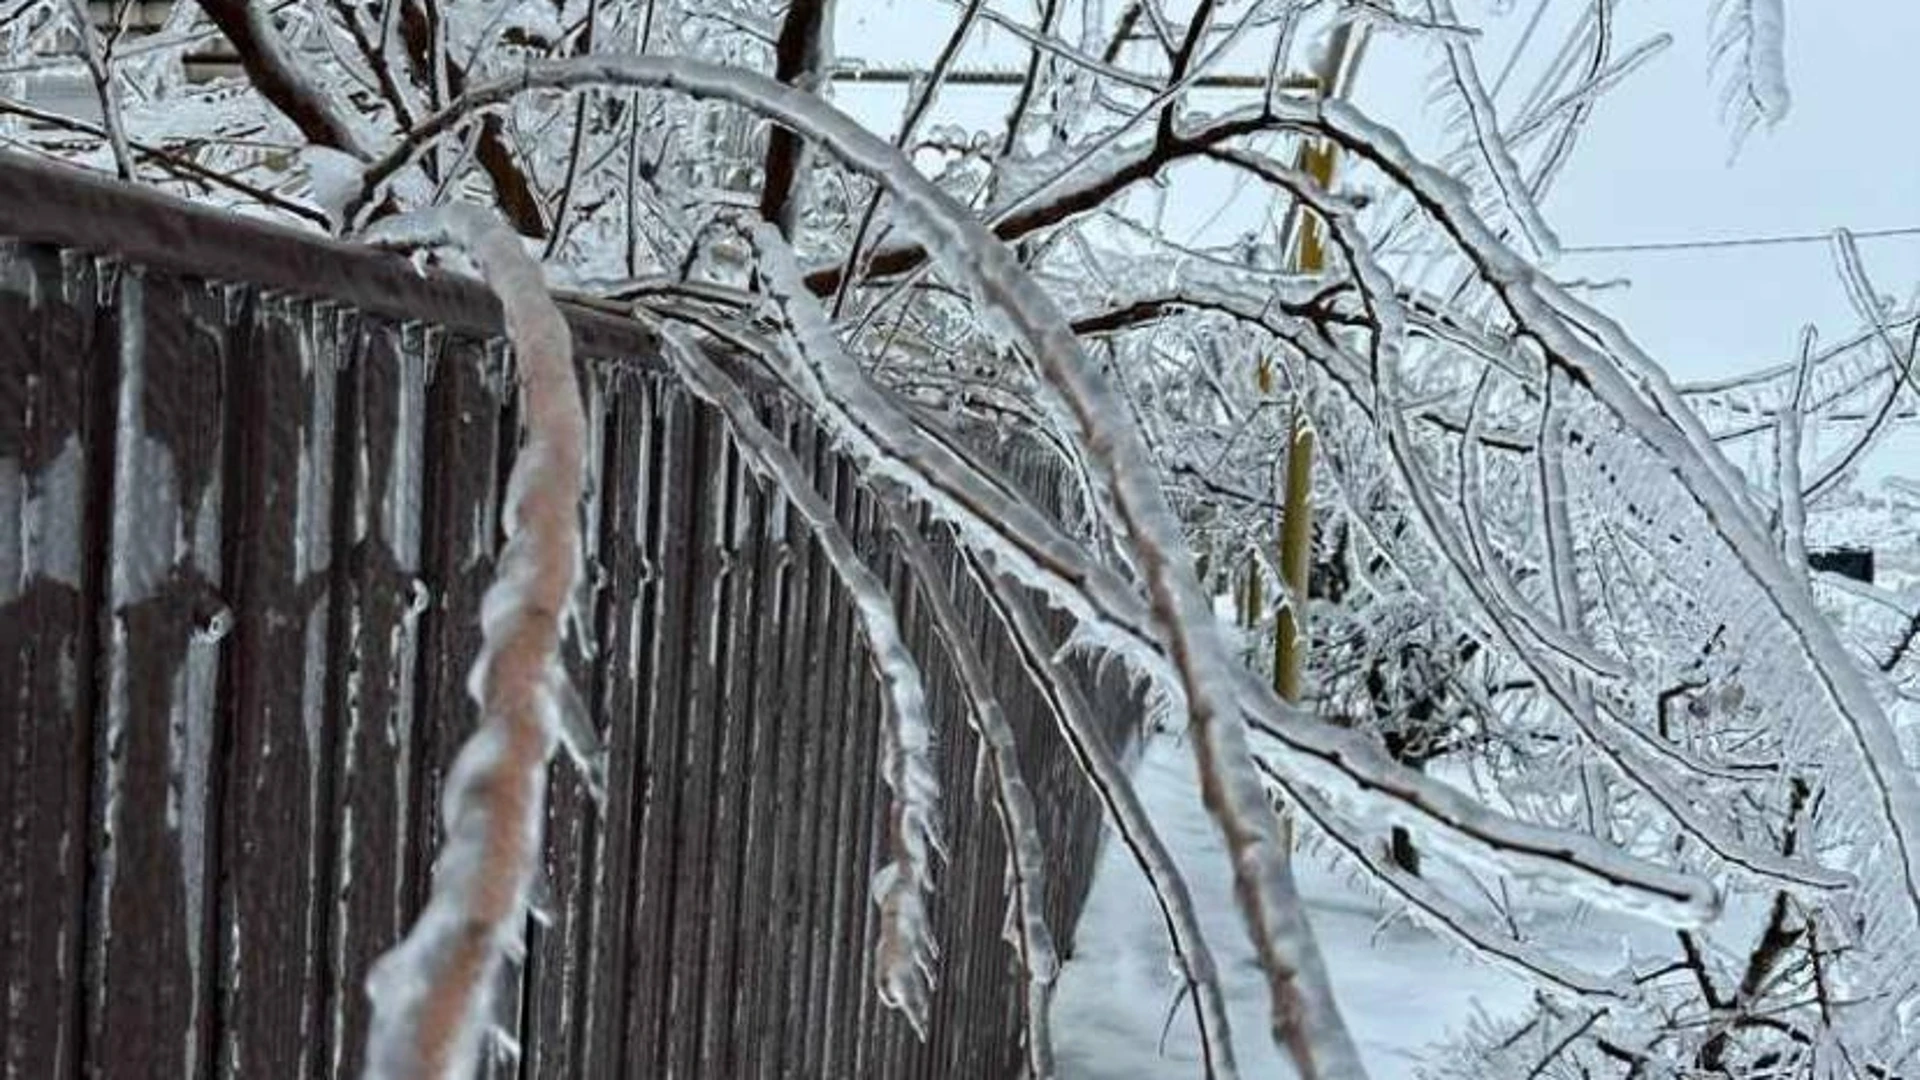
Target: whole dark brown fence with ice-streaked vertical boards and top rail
[{"x": 249, "y": 489}]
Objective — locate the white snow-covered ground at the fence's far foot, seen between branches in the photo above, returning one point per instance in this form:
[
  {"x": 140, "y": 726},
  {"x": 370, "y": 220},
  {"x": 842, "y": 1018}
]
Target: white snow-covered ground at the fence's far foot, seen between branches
[{"x": 1399, "y": 987}]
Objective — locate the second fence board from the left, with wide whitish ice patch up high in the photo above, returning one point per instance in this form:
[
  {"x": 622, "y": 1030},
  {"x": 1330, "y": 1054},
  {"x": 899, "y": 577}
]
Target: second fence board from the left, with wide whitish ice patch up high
[{"x": 155, "y": 773}]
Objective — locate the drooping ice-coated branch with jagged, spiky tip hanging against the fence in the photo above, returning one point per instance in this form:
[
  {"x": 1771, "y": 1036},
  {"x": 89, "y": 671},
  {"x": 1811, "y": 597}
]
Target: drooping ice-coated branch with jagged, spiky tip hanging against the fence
[{"x": 907, "y": 948}]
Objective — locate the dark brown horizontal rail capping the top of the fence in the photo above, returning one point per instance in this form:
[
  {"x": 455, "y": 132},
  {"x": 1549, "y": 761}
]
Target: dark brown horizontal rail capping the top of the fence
[{"x": 72, "y": 209}]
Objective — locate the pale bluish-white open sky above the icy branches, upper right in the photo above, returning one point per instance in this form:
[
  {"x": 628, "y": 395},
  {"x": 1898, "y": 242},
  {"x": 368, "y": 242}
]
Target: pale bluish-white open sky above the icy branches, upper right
[{"x": 1654, "y": 166}]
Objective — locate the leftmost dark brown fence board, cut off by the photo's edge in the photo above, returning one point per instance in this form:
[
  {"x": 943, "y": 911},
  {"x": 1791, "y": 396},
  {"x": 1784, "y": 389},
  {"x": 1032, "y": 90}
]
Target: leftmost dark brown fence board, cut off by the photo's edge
[{"x": 49, "y": 589}]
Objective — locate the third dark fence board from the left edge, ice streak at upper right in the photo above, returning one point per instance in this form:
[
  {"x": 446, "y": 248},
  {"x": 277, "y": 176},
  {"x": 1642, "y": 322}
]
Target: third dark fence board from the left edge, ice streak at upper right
[{"x": 279, "y": 541}]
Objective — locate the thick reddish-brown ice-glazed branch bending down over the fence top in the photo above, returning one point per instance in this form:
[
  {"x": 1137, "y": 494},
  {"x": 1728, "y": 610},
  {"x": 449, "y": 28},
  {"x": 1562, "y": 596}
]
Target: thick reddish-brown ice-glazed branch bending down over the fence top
[{"x": 433, "y": 991}]
